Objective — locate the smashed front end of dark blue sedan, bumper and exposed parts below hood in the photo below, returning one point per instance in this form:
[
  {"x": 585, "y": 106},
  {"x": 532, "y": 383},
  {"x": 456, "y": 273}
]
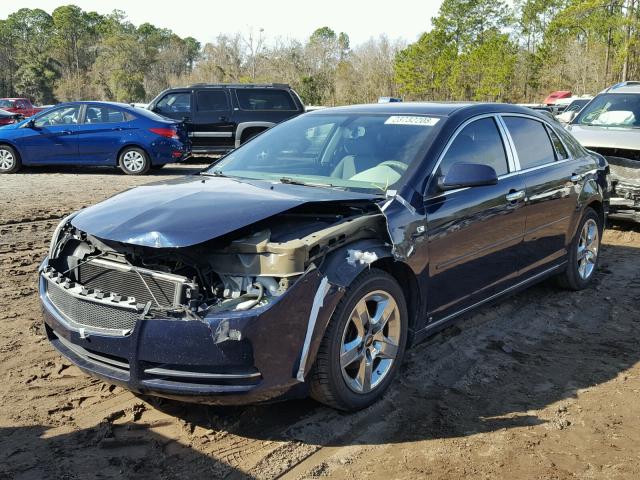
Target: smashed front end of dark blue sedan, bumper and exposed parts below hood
[{"x": 226, "y": 316}]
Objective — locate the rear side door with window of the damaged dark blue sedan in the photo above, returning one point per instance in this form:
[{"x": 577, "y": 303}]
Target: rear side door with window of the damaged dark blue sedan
[{"x": 549, "y": 173}]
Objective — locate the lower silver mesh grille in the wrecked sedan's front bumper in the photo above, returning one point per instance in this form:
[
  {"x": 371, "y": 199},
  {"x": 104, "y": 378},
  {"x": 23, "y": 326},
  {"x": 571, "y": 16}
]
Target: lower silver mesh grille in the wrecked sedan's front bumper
[{"x": 89, "y": 313}]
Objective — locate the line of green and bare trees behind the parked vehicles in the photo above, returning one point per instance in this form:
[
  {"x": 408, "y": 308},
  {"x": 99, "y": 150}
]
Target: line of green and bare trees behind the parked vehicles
[{"x": 487, "y": 50}]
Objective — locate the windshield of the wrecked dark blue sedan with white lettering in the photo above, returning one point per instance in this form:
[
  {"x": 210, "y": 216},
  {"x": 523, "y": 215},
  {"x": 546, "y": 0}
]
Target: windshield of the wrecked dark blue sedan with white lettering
[{"x": 355, "y": 152}]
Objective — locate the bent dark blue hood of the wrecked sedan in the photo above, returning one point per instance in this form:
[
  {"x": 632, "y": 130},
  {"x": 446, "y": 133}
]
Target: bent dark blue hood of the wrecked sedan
[{"x": 192, "y": 210}]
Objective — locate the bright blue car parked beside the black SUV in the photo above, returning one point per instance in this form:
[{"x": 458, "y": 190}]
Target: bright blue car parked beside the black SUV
[{"x": 94, "y": 134}]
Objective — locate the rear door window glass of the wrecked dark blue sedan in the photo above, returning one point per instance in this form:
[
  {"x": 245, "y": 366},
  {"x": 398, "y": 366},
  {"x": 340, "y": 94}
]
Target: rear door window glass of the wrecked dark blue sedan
[{"x": 531, "y": 141}]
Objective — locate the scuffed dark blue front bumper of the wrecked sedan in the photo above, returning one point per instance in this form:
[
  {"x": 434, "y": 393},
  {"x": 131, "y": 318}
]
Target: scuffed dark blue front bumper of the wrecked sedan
[{"x": 235, "y": 357}]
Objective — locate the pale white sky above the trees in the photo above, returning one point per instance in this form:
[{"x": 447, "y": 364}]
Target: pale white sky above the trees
[{"x": 205, "y": 19}]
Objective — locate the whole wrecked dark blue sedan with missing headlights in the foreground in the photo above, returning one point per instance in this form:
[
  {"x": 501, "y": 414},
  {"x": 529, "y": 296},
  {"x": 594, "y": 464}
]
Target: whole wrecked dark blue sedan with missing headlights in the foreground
[{"x": 310, "y": 258}]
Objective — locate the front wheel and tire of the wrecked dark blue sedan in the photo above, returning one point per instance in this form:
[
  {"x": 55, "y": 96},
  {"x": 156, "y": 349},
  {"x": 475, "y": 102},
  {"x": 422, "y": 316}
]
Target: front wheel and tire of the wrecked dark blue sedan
[{"x": 363, "y": 345}]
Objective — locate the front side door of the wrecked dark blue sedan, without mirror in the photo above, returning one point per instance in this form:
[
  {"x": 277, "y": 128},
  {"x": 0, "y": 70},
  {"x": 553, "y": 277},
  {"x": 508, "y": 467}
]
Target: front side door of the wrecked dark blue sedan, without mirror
[{"x": 475, "y": 234}]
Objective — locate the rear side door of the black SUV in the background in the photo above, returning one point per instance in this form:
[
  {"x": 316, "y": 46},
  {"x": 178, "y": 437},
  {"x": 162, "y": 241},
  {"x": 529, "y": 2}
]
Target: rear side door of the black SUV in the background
[{"x": 211, "y": 127}]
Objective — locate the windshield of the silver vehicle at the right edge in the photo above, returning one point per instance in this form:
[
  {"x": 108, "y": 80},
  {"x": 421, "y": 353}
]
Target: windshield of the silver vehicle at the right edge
[{"x": 612, "y": 110}]
